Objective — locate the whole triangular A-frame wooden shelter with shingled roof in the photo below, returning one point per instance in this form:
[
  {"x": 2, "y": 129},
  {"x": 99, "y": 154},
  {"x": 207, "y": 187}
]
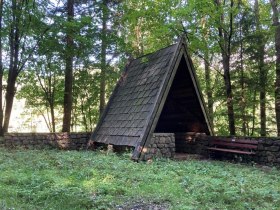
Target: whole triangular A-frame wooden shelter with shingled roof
[{"x": 156, "y": 93}]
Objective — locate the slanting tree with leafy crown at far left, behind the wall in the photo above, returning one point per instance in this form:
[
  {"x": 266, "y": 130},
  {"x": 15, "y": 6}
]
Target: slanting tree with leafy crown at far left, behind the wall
[{"x": 22, "y": 38}]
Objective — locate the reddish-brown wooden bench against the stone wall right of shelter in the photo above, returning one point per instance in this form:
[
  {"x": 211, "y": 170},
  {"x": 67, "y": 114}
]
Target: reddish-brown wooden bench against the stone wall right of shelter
[{"x": 238, "y": 146}]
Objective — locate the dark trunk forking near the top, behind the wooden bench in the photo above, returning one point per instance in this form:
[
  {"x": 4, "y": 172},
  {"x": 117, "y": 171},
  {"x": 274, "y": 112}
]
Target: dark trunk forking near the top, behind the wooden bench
[{"x": 225, "y": 45}]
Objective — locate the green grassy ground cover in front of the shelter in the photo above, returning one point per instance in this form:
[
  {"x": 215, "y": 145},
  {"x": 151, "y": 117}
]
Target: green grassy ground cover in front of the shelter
[{"x": 34, "y": 179}]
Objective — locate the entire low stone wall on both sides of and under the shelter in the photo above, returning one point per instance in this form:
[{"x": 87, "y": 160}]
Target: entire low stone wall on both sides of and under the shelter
[{"x": 161, "y": 145}]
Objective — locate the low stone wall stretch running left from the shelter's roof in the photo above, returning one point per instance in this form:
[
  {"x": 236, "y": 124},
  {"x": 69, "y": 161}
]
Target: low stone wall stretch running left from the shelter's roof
[{"x": 70, "y": 141}]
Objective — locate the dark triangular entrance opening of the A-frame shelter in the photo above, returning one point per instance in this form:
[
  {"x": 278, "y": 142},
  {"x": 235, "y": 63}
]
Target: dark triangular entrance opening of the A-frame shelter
[{"x": 182, "y": 112}]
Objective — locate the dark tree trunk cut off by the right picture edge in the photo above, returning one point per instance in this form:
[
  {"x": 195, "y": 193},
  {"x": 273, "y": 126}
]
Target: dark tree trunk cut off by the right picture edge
[{"x": 275, "y": 17}]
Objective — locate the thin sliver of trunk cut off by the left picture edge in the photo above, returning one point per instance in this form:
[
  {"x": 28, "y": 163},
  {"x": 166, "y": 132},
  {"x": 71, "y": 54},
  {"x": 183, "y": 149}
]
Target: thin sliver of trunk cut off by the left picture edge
[{"x": 1, "y": 70}]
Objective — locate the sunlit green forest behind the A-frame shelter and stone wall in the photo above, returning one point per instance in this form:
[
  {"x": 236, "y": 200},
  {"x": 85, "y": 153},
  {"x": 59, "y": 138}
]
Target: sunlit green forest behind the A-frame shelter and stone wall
[{"x": 64, "y": 57}]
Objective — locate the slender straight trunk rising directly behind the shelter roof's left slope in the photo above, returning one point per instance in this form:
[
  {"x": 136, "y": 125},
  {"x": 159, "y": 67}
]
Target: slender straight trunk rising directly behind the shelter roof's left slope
[{"x": 103, "y": 56}]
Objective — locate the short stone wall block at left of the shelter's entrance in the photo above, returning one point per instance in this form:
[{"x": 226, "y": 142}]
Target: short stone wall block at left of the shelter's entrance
[{"x": 161, "y": 145}]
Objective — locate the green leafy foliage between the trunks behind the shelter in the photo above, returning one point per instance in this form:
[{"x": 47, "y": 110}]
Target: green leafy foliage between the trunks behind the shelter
[{"x": 135, "y": 28}]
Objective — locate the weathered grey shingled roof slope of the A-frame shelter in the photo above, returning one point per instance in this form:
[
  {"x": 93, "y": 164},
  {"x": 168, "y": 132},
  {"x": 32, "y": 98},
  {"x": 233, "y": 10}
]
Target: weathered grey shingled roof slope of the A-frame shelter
[{"x": 135, "y": 103}]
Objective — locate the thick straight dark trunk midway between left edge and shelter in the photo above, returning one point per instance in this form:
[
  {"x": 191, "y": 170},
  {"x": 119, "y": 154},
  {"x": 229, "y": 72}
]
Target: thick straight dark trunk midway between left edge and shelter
[{"x": 68, "y": 71}]
